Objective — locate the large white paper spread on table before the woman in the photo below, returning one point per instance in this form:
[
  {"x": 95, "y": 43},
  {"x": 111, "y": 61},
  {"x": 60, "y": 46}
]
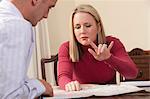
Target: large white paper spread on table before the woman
[{"x": 92, "y": 89}]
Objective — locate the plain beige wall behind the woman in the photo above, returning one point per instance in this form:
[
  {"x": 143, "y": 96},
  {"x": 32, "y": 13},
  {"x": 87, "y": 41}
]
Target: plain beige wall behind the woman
[{"x": 128, "y": 20}]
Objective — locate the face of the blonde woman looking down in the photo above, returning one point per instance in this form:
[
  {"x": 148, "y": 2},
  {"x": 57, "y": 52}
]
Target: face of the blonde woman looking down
[{"x": 85, "y": 27}]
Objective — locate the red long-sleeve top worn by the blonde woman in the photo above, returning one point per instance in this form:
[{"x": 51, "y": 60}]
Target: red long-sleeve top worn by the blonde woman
[{"x": 90, "y": 70}]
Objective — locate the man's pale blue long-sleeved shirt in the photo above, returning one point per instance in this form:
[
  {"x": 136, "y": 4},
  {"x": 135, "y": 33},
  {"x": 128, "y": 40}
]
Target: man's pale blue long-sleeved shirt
[{"x": 16, "y": 43}]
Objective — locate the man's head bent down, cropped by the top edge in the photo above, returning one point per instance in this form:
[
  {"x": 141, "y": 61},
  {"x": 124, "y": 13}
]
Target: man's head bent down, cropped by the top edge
[{"x": 34, "y": 10}]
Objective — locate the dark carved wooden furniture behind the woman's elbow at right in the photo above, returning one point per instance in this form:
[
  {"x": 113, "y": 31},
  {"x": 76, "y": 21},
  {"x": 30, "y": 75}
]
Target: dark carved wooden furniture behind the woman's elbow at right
[{"x": 142, "y": 59}]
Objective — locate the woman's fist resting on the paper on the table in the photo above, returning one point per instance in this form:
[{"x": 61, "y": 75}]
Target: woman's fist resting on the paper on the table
[{"x": 73, "y": 86}]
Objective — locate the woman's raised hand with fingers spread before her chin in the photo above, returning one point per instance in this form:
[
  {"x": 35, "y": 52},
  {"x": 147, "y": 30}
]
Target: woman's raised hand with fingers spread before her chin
[{"x": 100, "y": 52}]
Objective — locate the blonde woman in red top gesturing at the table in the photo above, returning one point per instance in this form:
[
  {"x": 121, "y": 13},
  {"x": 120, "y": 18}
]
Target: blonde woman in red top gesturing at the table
[{"x": 90, "y": 56}]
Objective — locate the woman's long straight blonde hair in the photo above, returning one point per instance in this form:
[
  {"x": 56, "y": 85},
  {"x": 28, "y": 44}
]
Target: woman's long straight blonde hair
[{"x": 74, "y": 47}]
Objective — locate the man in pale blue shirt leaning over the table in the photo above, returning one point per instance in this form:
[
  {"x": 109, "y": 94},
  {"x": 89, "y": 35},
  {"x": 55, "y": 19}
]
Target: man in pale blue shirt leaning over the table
[{"x": 16, "y": 41}]
